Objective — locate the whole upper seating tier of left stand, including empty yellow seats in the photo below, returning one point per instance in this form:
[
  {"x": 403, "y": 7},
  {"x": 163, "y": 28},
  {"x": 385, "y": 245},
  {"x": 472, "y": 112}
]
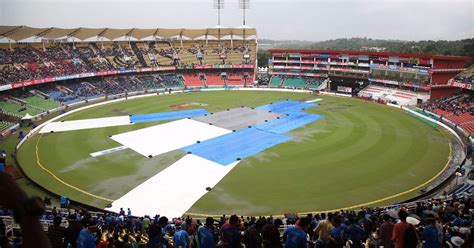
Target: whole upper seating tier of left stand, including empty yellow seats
[{"x": 33, "y": 61}]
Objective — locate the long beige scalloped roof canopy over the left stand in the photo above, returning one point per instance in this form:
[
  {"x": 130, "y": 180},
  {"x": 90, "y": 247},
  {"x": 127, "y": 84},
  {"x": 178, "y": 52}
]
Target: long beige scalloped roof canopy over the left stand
[{"x": 18, "y": 33}]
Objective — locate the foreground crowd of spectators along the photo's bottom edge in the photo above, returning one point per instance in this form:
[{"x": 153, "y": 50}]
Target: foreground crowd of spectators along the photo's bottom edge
[{"x": 430, "y": 224}]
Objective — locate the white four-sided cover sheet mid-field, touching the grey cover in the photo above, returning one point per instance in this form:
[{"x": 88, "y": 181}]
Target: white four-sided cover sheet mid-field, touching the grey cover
[{"x": 167, "y": 137}]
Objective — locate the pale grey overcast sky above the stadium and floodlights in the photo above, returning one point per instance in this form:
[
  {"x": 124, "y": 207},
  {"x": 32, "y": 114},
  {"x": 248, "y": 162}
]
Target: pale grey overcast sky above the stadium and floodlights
[{"x": 313, "y": 20}]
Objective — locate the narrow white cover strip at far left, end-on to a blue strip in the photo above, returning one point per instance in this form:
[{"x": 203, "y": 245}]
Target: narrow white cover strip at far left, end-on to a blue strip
[{"x": 86, "y": 124}]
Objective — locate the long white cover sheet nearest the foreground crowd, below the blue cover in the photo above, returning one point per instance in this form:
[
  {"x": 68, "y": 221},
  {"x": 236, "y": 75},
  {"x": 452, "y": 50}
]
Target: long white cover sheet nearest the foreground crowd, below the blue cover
[{"x": 167, "y": 194}]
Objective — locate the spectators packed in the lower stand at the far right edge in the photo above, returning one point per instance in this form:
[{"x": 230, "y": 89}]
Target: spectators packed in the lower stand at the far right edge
[{"x": 457, "y": 104}]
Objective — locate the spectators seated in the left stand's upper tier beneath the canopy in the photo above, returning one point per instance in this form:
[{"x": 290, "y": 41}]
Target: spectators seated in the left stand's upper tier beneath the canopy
[{"x": 29, "y": 63}]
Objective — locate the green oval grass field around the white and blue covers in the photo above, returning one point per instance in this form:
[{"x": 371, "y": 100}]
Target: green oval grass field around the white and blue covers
[{"x": 358, "y": 153}]
